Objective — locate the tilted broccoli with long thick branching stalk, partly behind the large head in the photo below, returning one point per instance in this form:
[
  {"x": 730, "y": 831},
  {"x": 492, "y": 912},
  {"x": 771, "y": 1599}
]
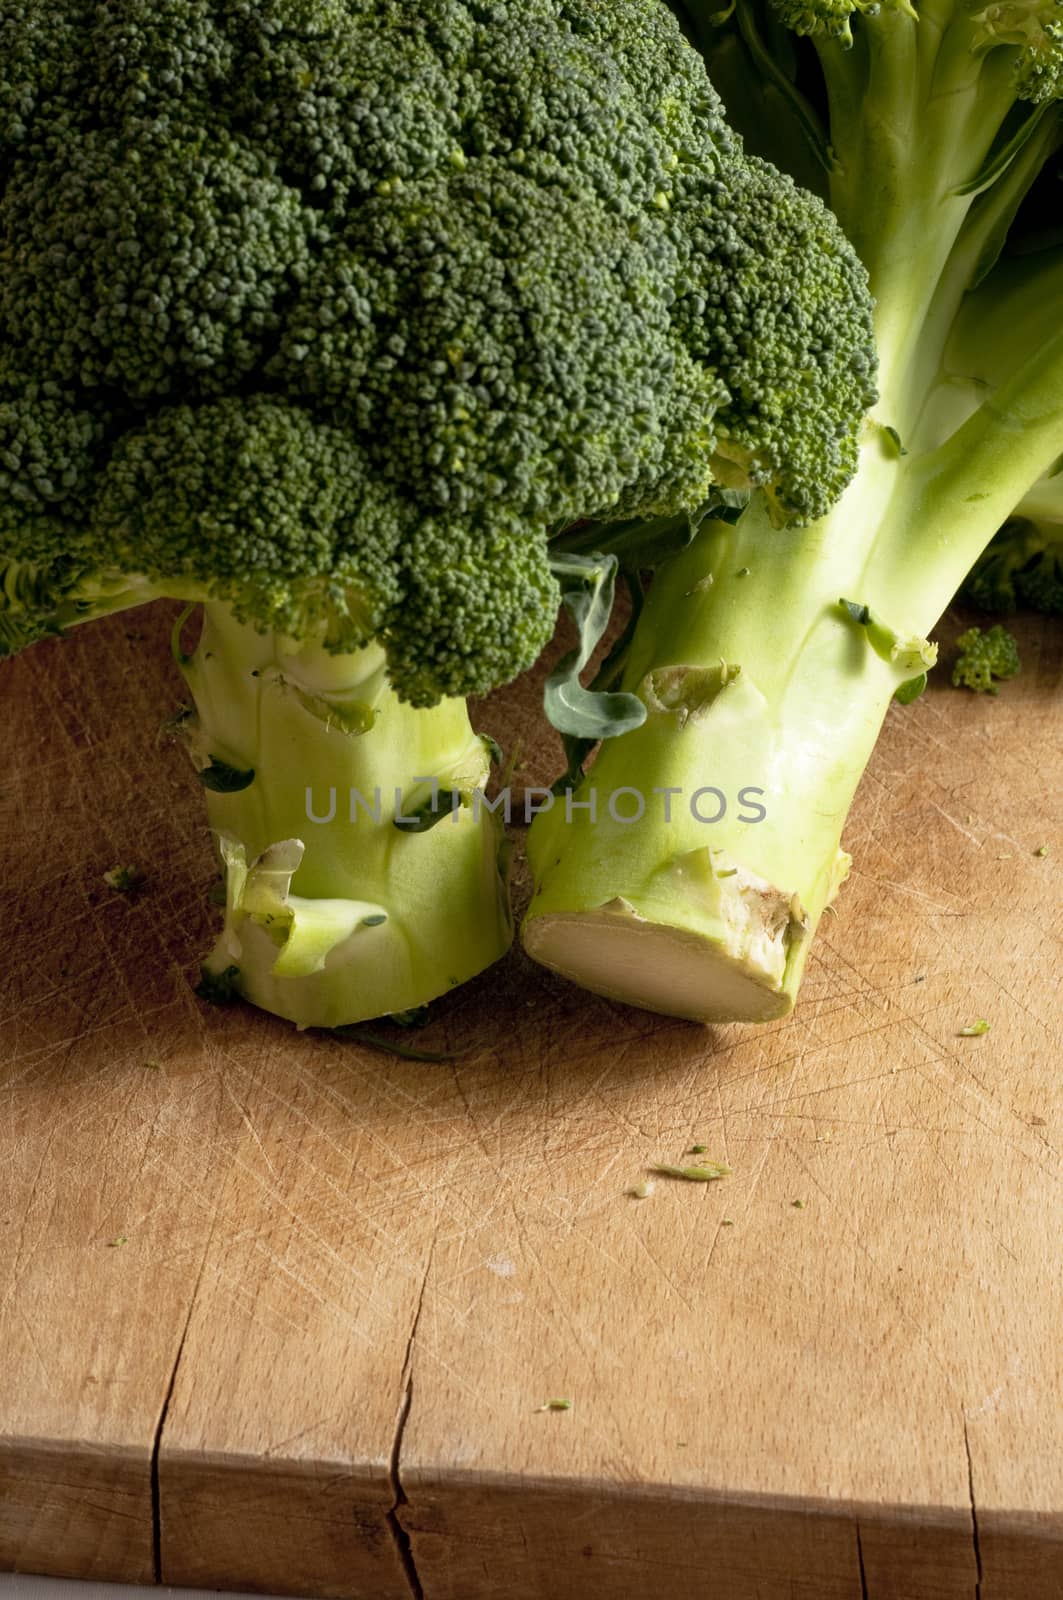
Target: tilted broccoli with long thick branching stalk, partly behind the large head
[{"x": 933, "y": 129}]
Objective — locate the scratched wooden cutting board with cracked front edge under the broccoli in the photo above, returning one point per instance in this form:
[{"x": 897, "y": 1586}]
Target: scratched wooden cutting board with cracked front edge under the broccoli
[{"x": 281, "y": 1313}]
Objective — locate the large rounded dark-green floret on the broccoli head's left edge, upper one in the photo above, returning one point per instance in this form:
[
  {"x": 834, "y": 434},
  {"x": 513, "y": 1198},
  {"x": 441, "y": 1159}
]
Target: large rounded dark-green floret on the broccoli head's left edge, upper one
[{"x": 150, "y": 260}]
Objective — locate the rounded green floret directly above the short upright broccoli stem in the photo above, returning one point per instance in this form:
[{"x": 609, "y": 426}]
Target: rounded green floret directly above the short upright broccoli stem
[{"x": 259, "y": 505}]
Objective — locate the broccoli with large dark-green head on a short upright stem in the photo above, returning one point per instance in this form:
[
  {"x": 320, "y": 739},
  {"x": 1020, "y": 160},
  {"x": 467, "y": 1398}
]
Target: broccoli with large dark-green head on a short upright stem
[{"x": 323, "y": 318}]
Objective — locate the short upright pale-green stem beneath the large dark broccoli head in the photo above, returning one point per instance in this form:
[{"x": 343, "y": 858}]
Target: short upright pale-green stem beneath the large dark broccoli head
[{"x": 363, "y": 918}]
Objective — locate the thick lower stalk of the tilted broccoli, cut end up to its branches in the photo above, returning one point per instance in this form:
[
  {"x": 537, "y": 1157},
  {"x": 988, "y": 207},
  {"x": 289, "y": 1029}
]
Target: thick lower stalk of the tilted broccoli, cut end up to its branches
[{"x": 760, "y": 732}]
